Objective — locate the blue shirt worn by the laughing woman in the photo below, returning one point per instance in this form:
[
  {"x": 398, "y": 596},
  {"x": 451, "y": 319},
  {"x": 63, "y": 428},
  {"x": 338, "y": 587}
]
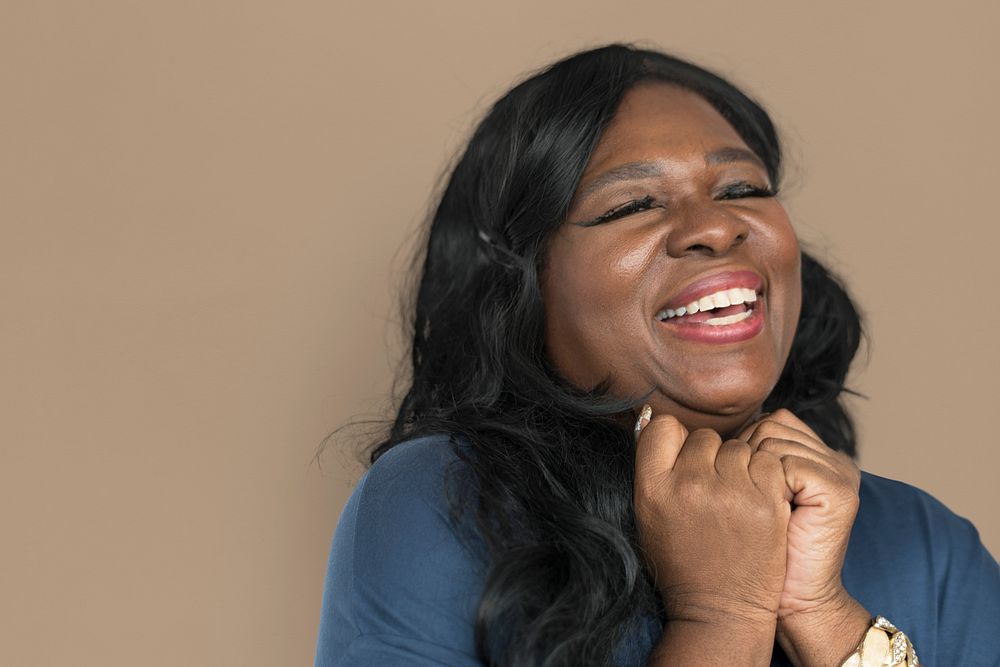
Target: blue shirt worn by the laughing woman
[{"x": 402, "y": 584}]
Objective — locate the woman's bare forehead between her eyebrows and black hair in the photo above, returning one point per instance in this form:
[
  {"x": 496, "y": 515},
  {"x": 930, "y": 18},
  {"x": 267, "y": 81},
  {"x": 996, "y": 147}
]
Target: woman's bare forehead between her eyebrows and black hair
[{"x": 661, "y": 121}]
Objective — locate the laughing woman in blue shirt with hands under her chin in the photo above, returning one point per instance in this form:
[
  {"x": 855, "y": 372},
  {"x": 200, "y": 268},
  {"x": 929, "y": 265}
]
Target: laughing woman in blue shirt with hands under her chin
[{"x": 623, "y": 441}]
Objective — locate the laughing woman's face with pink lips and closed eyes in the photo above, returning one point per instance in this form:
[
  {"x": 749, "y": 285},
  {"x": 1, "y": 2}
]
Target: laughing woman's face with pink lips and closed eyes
[{"x": 673, "y": 215}]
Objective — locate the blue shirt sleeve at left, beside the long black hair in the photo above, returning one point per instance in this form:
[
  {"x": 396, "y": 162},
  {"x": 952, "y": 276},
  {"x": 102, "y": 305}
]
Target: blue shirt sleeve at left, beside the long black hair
[{"x": 402, "y": 583}]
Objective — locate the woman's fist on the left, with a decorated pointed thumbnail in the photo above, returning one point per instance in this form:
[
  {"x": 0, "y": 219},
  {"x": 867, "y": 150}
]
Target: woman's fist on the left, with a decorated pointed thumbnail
[{"x": 712, "y": 519}]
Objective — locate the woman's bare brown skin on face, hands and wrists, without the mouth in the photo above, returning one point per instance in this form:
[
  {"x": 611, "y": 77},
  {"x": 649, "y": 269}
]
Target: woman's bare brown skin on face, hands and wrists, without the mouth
[{"x": 715, "y": 482}]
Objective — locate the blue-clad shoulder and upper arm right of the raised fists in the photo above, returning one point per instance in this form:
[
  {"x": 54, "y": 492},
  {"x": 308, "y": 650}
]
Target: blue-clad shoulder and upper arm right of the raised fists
[{"x": 915, "y": 561}]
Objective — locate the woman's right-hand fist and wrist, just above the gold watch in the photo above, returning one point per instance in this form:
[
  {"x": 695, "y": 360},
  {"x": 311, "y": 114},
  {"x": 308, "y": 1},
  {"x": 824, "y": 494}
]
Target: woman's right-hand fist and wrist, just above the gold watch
[{"x": 818, "y": 620}]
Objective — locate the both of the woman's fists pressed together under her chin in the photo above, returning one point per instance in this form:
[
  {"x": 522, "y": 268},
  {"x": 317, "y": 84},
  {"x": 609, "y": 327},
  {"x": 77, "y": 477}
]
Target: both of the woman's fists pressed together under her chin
[{"x": 745, "y": 532}]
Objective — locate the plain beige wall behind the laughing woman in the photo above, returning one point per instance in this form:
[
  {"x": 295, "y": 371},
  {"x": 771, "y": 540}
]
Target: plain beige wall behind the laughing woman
[{"x": 202, "y": 208}]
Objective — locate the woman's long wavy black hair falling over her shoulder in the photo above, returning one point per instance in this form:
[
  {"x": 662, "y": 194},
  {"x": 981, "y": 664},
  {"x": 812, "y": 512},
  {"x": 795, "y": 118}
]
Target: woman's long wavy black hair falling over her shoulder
[{"x": 552, "y": 465}]
